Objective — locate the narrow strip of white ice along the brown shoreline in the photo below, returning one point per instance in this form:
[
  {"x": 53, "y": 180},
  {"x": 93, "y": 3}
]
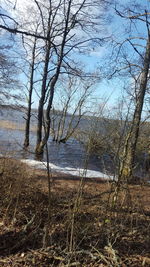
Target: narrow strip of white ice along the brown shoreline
[{"x": 67, "y": 170}]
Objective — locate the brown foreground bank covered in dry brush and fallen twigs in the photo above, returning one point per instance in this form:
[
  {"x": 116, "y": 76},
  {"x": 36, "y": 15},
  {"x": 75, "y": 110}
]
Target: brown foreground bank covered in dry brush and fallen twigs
[{"x": 89, "y": 223}]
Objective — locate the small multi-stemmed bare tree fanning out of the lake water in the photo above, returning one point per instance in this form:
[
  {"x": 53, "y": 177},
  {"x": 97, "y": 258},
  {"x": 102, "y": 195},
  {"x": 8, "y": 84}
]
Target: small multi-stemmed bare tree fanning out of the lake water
[{"x": 74, "y": 95}]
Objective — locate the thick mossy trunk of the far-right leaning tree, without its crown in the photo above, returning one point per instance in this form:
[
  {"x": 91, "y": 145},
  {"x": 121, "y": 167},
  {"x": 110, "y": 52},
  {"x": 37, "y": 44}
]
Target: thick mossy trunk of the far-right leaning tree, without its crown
[{"x": 127, "y": 164}]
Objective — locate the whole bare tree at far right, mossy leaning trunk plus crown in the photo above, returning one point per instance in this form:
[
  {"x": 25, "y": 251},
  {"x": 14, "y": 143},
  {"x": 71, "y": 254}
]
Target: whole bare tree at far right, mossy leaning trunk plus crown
[{"x": 137, "y": 64}]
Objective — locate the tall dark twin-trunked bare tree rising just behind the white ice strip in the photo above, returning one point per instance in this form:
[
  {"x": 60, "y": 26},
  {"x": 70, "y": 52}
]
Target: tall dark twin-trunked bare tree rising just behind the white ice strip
[{"x": 63, "y": 20}]
